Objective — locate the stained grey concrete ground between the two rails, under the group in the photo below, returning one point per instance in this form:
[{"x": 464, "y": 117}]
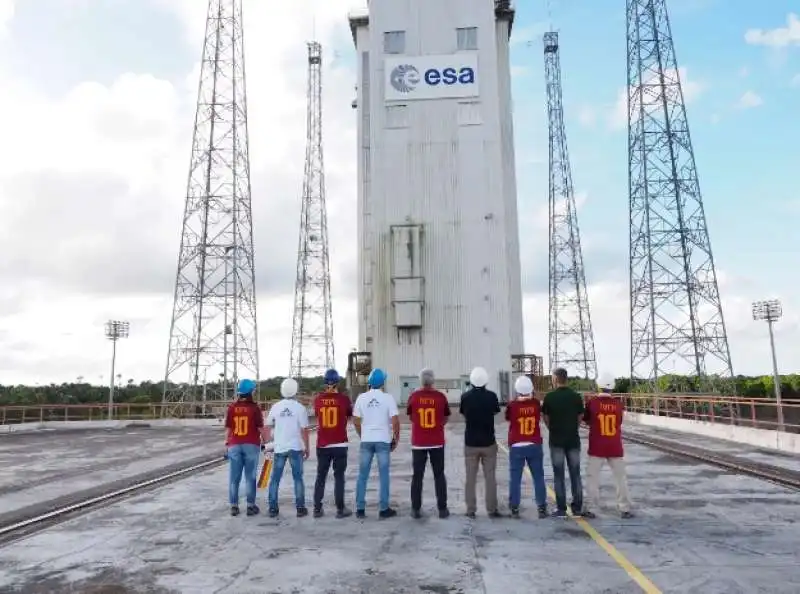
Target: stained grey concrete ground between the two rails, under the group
[{"x": 698, "y": 529}]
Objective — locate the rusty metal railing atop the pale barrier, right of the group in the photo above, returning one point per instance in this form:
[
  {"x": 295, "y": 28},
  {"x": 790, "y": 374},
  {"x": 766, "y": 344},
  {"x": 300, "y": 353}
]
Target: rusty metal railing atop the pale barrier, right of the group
[{"x": 759, "y": 413}]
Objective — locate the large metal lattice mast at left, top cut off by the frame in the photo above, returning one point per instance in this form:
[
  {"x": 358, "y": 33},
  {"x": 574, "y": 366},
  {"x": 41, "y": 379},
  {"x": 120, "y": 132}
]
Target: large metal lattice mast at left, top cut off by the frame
[{"x": 214, "y": 335}]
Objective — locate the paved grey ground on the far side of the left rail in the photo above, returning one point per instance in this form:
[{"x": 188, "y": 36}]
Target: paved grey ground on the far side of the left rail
[{"x": 38, "y": 466}]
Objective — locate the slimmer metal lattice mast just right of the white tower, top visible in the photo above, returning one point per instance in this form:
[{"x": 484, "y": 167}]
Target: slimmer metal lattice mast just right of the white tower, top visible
[{"x": 571, "y": 338}]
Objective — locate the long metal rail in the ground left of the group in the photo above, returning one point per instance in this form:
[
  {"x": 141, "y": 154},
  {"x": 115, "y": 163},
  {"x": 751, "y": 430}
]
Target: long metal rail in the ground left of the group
[{"x": 34, "y": 523}]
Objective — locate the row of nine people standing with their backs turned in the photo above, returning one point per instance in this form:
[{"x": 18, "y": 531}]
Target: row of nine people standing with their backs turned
[{"x": 375, "y": 418}]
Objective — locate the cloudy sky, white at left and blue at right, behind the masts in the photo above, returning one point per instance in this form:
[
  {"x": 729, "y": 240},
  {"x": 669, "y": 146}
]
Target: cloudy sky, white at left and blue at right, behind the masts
[{"x": 98, "y": 104}]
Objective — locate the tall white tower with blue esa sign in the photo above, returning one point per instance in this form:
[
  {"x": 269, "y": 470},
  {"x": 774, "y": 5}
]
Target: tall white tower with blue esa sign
[{"x": 439, "y": 263}]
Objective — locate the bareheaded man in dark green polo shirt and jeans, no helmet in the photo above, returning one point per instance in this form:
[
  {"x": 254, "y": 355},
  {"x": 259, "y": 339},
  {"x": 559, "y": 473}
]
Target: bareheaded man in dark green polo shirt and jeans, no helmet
[{"x": 562, "y": 411}]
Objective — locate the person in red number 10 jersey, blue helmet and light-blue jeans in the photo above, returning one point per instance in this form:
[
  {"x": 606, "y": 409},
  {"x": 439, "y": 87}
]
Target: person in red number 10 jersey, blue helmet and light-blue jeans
[{"x": 244, "y": 432}]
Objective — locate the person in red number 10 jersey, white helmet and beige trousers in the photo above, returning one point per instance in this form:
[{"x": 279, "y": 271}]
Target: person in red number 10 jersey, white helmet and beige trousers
[{"x": 604, "y": 415}]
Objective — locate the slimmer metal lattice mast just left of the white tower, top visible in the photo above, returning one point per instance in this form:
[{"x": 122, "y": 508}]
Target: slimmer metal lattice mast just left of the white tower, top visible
[{"x": 312, "y": 329}]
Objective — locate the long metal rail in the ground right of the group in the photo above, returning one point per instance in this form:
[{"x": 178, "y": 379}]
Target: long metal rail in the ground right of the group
[{"x": 775, "y": 474}]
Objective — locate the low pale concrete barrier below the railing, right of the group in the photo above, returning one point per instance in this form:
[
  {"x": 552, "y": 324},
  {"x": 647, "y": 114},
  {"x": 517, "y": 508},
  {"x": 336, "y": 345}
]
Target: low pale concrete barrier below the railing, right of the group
[{"x": 762, "y": 438}]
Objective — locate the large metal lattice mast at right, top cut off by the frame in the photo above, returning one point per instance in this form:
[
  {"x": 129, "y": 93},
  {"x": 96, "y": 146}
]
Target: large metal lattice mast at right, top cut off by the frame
[{"x": 677, "y": 325}]
